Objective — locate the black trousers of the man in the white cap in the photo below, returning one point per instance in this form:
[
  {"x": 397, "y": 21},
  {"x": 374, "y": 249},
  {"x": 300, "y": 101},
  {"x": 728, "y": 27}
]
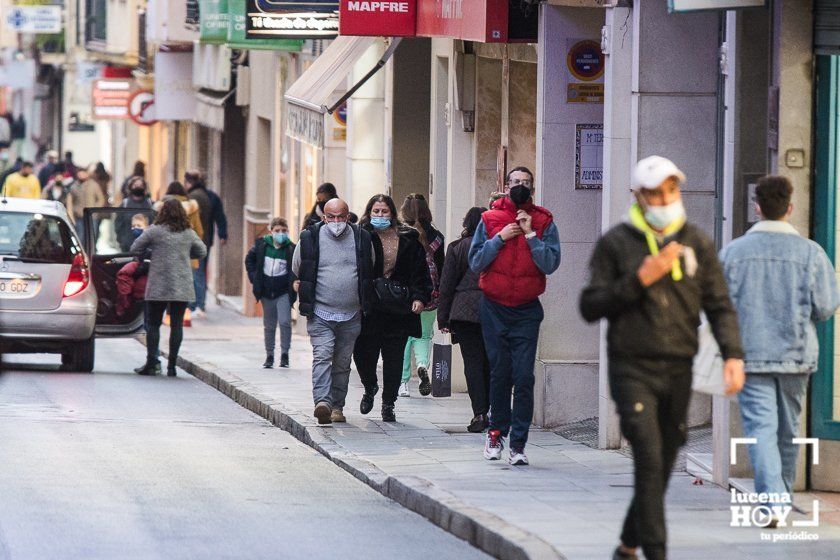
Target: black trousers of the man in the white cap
[{"x": 652, "y": 397}]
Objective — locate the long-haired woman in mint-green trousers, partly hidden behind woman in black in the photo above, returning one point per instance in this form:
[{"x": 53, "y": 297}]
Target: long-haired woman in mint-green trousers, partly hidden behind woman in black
[{"x": 415, "y": 213}]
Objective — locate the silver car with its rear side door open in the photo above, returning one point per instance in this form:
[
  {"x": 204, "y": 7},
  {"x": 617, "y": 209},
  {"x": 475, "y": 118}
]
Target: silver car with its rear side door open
[{"x": 56, "y": 293}]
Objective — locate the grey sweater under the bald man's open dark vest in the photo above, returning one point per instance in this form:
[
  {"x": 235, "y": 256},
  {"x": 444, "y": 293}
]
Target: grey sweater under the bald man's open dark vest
[{"x": 337, "y": 289}]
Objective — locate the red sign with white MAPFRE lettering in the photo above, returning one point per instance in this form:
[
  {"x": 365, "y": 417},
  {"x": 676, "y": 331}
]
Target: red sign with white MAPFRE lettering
[{"x": 364, "y": 18}]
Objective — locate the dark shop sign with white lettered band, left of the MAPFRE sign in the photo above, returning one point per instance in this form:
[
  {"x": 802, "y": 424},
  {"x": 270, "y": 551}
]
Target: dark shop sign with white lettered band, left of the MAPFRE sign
[{"x": 316, "y": 19}]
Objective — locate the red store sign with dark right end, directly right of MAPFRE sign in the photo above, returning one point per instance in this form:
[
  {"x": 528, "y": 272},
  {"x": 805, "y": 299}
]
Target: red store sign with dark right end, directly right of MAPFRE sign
[{"x": 487, "y": 21}]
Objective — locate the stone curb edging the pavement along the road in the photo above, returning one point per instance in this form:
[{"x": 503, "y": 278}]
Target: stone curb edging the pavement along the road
[{"x": 482, "y": 529}]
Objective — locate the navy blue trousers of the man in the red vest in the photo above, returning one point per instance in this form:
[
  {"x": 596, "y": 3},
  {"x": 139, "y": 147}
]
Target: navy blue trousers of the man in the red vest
[{"x": 510, "y": 337}]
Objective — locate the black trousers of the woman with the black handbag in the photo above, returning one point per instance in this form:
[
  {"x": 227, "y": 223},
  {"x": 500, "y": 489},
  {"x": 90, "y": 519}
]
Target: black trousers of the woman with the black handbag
[{"x": 370, "y": 344}]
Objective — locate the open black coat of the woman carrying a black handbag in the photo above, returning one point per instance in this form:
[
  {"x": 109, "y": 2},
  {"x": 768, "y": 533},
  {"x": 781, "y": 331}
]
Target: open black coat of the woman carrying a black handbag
[{"x": 410, "y": 270}]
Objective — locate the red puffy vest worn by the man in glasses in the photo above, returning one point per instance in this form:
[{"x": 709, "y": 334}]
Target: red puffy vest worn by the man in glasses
[{"x": 513, "y": 279}]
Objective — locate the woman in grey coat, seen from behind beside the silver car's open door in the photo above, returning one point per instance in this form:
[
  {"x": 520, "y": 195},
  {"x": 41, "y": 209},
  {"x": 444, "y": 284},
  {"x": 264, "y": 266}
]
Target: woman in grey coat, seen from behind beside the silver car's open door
[{"x": 172, "y": 243}]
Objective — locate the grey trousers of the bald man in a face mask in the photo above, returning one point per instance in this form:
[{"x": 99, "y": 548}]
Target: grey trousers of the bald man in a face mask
[{"x": 332, "y": 349}]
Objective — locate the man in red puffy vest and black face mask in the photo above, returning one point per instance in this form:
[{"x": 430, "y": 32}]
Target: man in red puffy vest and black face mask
[{"x": 514, "y": 247}]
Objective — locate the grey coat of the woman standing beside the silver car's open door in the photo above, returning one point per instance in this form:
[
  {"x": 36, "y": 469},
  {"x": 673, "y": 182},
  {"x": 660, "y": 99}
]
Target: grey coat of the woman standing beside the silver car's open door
[{"x": 170, "y": 273}]
